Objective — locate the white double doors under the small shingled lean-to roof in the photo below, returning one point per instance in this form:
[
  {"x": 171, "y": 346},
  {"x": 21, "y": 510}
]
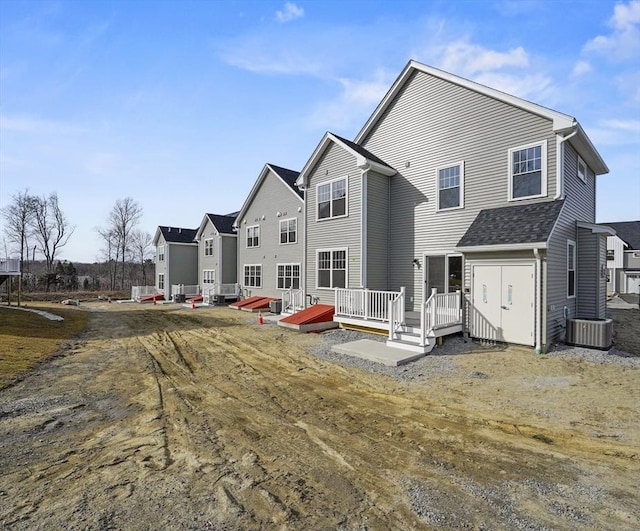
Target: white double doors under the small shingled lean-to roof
[{"x": 503, "y": 303}]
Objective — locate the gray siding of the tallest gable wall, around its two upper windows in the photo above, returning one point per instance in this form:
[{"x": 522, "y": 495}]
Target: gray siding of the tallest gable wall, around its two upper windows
[{"x": 434, "y": 123}]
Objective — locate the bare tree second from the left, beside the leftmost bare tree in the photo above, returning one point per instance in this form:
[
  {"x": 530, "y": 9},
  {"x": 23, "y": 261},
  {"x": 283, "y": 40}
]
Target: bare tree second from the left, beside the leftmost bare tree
[{"x": 51, "y": 229}]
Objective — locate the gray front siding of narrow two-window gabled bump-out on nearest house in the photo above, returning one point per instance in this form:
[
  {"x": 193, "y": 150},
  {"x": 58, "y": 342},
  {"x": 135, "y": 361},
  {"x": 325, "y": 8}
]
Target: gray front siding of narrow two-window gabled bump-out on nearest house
[{"x": 342, "y": 232}]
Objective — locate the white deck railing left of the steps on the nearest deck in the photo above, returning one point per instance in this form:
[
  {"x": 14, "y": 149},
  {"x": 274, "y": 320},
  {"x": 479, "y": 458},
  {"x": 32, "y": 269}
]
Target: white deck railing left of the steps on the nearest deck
[{"x": 364, "y": 304}]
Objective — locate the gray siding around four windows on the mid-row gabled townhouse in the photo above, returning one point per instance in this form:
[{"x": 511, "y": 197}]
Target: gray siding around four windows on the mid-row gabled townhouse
[{"x": 273, "y": 197}]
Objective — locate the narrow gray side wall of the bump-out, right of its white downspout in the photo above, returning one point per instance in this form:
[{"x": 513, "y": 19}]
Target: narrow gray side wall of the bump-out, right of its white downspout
[{"x": 377, "y": 231}]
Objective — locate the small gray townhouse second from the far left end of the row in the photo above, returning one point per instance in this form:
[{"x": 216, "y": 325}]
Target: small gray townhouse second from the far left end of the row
[{"x": 217, "y": 257}]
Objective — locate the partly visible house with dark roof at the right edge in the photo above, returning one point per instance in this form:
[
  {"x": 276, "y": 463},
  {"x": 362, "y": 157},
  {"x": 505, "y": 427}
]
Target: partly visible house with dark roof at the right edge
[{"x": 623, "y": 257}]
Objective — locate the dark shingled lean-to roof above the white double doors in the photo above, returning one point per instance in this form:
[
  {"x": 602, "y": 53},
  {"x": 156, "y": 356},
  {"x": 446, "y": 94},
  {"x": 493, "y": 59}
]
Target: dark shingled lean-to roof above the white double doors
[{"x": 516, "y": 225}]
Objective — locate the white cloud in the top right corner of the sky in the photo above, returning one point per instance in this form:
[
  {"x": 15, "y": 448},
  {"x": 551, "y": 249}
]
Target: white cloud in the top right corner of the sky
[{"x": 624, "y": 40}]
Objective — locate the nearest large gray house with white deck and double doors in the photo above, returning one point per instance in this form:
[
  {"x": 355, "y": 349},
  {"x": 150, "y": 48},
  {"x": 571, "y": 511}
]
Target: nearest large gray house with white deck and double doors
[{"x": 457, "y": 207}]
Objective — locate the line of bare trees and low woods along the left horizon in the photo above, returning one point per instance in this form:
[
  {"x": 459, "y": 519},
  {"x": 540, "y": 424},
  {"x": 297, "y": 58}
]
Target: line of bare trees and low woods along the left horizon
[{"x": 36, "y": 229}]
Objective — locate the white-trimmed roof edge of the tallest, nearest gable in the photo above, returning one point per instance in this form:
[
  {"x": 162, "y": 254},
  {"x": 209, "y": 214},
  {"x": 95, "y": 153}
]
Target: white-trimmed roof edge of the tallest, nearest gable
[{"x": 563, "y": 124}]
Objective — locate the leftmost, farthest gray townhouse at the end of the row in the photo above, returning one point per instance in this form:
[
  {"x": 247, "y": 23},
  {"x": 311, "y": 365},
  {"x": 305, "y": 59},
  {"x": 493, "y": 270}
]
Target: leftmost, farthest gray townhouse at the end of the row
[{"x": 176, "y": 260}]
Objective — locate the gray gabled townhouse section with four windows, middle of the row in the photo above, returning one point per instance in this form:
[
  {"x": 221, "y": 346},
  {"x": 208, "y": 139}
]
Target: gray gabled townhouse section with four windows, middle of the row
[{"x": 269, "y": 238}]
